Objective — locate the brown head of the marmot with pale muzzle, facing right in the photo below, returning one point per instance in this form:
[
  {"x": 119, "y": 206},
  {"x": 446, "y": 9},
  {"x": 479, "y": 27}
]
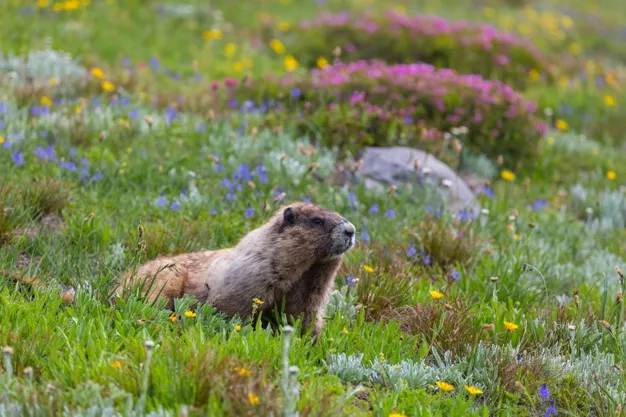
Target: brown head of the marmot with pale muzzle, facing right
[{"x": 312, "y": 227}]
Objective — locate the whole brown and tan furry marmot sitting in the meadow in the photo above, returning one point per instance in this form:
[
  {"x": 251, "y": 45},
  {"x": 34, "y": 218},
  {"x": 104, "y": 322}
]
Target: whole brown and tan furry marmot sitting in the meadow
[{"x": 295, "y": 255}]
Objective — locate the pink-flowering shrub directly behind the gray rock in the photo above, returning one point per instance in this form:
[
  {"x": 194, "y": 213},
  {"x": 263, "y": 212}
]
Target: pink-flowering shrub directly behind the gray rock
[{"x": 370, "y": 103}]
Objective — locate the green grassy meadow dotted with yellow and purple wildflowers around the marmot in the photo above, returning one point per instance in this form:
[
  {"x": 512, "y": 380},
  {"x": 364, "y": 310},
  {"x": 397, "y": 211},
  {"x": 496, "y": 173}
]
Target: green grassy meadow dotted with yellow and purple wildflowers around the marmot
[{"x": 526, "y": 294}]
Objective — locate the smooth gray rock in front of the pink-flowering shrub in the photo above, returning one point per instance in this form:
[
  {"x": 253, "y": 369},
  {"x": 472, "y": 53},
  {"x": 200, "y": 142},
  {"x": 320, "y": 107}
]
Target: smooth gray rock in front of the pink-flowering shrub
[{"x": 396, "y": 165}]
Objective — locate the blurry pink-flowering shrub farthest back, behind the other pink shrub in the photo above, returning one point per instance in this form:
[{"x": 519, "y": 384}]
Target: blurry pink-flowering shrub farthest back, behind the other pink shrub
[{"x": 397, "y": 38}]
